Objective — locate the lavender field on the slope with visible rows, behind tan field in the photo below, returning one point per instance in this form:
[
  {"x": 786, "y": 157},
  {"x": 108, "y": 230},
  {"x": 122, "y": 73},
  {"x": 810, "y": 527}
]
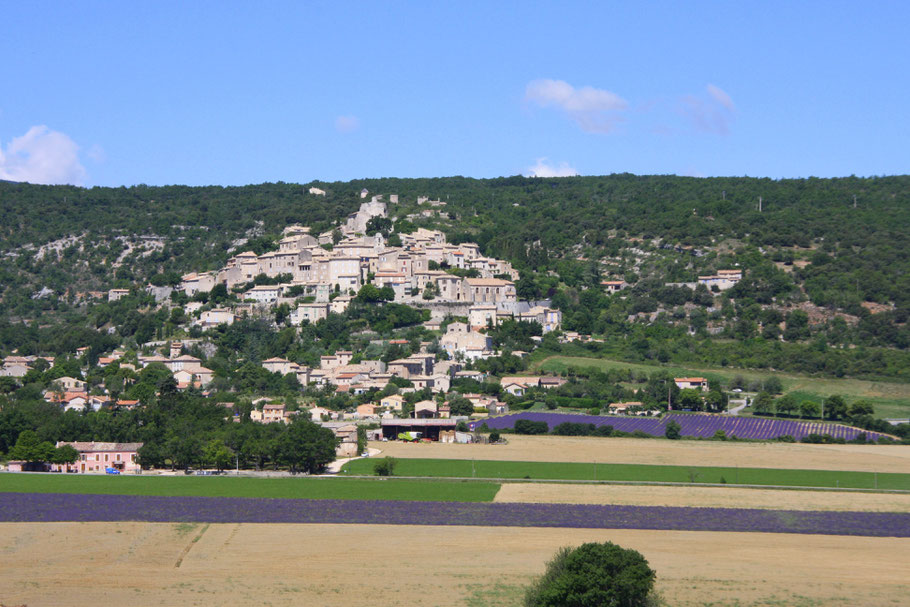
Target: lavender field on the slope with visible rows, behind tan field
[{"x": 698, "y": 425}]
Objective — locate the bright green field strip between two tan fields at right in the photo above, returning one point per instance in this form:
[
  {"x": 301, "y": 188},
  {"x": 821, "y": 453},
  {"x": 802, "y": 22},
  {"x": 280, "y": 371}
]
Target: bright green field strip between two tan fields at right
[{"x": 435, "y": 468}]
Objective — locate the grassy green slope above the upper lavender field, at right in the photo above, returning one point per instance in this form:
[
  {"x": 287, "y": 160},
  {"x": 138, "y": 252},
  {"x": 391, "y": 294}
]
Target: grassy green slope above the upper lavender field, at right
[{"x": 891, "y": 399}]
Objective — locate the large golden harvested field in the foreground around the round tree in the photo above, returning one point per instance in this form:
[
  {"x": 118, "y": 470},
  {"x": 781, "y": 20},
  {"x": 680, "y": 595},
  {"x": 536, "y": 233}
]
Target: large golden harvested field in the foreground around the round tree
[{"x": 87, "y": 564}]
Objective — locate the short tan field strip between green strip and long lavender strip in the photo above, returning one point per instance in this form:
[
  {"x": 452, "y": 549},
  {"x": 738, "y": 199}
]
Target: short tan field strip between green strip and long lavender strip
[{"x": 703, "y": 497}]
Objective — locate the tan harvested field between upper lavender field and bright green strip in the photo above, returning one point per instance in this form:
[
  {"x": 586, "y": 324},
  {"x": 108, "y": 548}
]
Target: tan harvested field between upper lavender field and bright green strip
[{"x": 860, "y": 458}]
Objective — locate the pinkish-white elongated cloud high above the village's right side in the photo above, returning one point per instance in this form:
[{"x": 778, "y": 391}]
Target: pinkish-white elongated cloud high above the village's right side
[{"x": 594, "y": 110}]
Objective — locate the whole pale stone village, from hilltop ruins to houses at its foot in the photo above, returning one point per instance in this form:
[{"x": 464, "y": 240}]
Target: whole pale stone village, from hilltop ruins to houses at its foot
[{"x": 458, "y": 294}]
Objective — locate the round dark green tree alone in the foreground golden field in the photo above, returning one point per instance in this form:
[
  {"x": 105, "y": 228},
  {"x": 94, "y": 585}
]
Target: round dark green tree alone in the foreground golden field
[{"x": 593, "y": 574}]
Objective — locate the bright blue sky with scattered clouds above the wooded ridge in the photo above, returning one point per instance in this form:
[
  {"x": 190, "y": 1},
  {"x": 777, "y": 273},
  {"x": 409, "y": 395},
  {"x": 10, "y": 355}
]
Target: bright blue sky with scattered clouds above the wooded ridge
[{"x": 233, "y": 93}]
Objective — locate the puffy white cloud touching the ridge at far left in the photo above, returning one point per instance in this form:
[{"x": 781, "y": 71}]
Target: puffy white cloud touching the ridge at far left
[{"x": 42, "y": 156}]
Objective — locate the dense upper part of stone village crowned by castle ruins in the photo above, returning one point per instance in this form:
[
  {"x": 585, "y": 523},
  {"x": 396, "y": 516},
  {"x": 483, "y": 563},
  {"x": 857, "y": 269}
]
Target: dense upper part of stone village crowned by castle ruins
[{"x": 419, "y": 268}]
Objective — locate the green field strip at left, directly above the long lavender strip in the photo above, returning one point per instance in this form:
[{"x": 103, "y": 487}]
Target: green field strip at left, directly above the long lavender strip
[{"x": 225, "y": 486}]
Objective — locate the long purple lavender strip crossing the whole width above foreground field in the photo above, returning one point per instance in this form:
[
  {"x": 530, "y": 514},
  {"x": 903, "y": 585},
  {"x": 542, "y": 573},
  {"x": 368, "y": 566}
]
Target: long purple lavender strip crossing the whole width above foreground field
[{"x": 57, "y": 507}]
